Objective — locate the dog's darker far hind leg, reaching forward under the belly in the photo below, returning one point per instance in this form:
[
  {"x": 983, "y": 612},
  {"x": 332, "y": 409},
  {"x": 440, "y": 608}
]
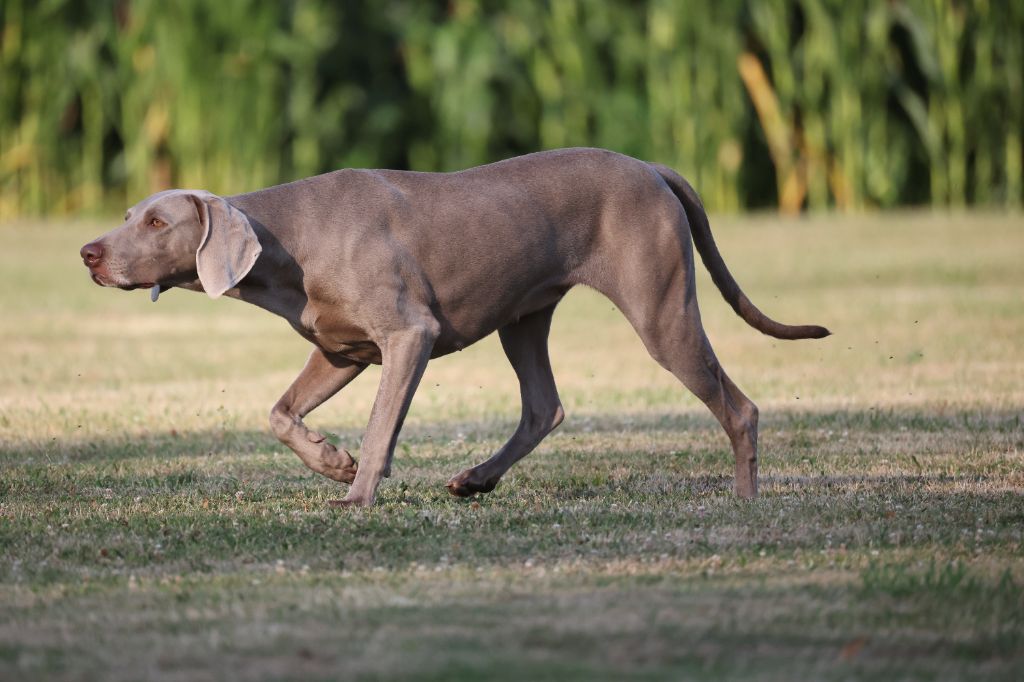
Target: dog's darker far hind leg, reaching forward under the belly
[{"x": 526, "y": 345}]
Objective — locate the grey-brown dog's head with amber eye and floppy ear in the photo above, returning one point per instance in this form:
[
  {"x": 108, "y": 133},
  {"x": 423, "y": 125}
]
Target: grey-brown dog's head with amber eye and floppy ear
[{"x": 175, "y": 238}]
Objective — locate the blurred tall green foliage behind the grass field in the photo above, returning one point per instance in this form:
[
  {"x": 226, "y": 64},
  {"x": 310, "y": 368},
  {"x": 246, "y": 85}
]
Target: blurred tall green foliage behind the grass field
[{"x": 801, "y": 104}]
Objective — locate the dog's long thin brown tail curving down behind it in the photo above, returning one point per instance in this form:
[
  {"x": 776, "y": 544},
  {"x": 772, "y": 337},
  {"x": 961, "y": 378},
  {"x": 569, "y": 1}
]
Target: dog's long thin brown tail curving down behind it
[{"x": 720, "y": 275}]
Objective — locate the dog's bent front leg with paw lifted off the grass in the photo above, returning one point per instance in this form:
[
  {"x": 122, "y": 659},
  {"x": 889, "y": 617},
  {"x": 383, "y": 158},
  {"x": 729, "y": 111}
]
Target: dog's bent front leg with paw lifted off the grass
[{"x": 322, "y": 377}]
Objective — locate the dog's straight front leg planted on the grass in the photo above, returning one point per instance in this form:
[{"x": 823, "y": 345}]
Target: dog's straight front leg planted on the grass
[{"x": 405, "y": 357}]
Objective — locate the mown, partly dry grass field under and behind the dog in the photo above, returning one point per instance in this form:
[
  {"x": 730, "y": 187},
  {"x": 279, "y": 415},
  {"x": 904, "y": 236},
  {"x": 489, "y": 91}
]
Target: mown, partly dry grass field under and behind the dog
[{"x": 151, "y": 527}]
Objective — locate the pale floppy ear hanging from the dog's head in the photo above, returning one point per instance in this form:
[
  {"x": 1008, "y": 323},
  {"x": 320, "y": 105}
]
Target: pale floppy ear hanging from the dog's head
[{"x": 229, "y": 248}]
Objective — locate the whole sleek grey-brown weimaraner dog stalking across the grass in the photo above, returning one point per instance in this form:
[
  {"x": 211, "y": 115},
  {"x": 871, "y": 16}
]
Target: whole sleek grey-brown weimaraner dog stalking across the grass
[{"x": 396, "y": 268}]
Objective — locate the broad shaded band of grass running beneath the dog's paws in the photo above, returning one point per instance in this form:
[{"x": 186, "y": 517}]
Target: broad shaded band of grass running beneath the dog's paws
[{"x": 84, "y": 508}]
